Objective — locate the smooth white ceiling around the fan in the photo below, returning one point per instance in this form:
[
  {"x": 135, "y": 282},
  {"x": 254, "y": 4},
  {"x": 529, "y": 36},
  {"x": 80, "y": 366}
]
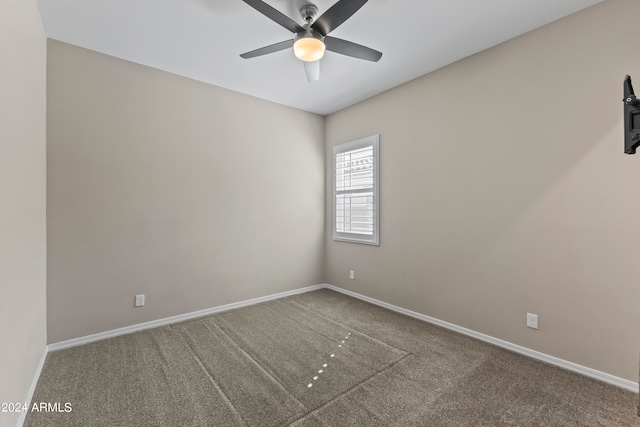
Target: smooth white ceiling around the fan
[{"x": 202, "y": 40}]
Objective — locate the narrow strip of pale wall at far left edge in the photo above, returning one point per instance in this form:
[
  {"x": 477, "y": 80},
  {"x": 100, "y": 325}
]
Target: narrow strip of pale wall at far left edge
[{"x": 22, "y": 199}]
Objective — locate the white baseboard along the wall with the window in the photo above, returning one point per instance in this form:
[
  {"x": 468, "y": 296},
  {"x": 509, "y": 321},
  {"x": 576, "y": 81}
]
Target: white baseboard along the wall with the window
[{"x": 598, "y": 375}]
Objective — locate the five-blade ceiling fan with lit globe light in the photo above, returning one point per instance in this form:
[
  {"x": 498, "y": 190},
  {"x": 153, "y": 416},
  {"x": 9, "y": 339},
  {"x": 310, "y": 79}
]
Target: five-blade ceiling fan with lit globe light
[{"x": 311, "y": 40}]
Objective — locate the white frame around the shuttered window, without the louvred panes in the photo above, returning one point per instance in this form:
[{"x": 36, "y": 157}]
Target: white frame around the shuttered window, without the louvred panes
[{"x": 370, "y": 141}]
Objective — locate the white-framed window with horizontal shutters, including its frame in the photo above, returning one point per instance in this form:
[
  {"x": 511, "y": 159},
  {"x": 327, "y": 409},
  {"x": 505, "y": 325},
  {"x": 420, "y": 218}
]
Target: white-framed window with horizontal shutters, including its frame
[{"x": 355, "y": 191}]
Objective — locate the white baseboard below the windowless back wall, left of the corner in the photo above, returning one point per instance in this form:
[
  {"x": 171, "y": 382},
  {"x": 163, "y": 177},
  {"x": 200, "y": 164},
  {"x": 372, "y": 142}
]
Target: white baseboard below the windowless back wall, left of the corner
[{"x": 173, "y": 319}]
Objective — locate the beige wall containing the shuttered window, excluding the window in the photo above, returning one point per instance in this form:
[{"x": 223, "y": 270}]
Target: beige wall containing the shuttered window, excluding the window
[{"x": 505, "y": 190}]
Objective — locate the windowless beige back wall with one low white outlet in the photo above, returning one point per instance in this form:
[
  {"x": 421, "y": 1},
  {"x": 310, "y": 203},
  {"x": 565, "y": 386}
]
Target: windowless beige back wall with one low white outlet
[{"x": 191, "y": 194}]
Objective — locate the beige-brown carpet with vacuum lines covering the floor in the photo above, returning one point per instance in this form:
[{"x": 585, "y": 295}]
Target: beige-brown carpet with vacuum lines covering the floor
[{"x": 315, "y": 359}]
